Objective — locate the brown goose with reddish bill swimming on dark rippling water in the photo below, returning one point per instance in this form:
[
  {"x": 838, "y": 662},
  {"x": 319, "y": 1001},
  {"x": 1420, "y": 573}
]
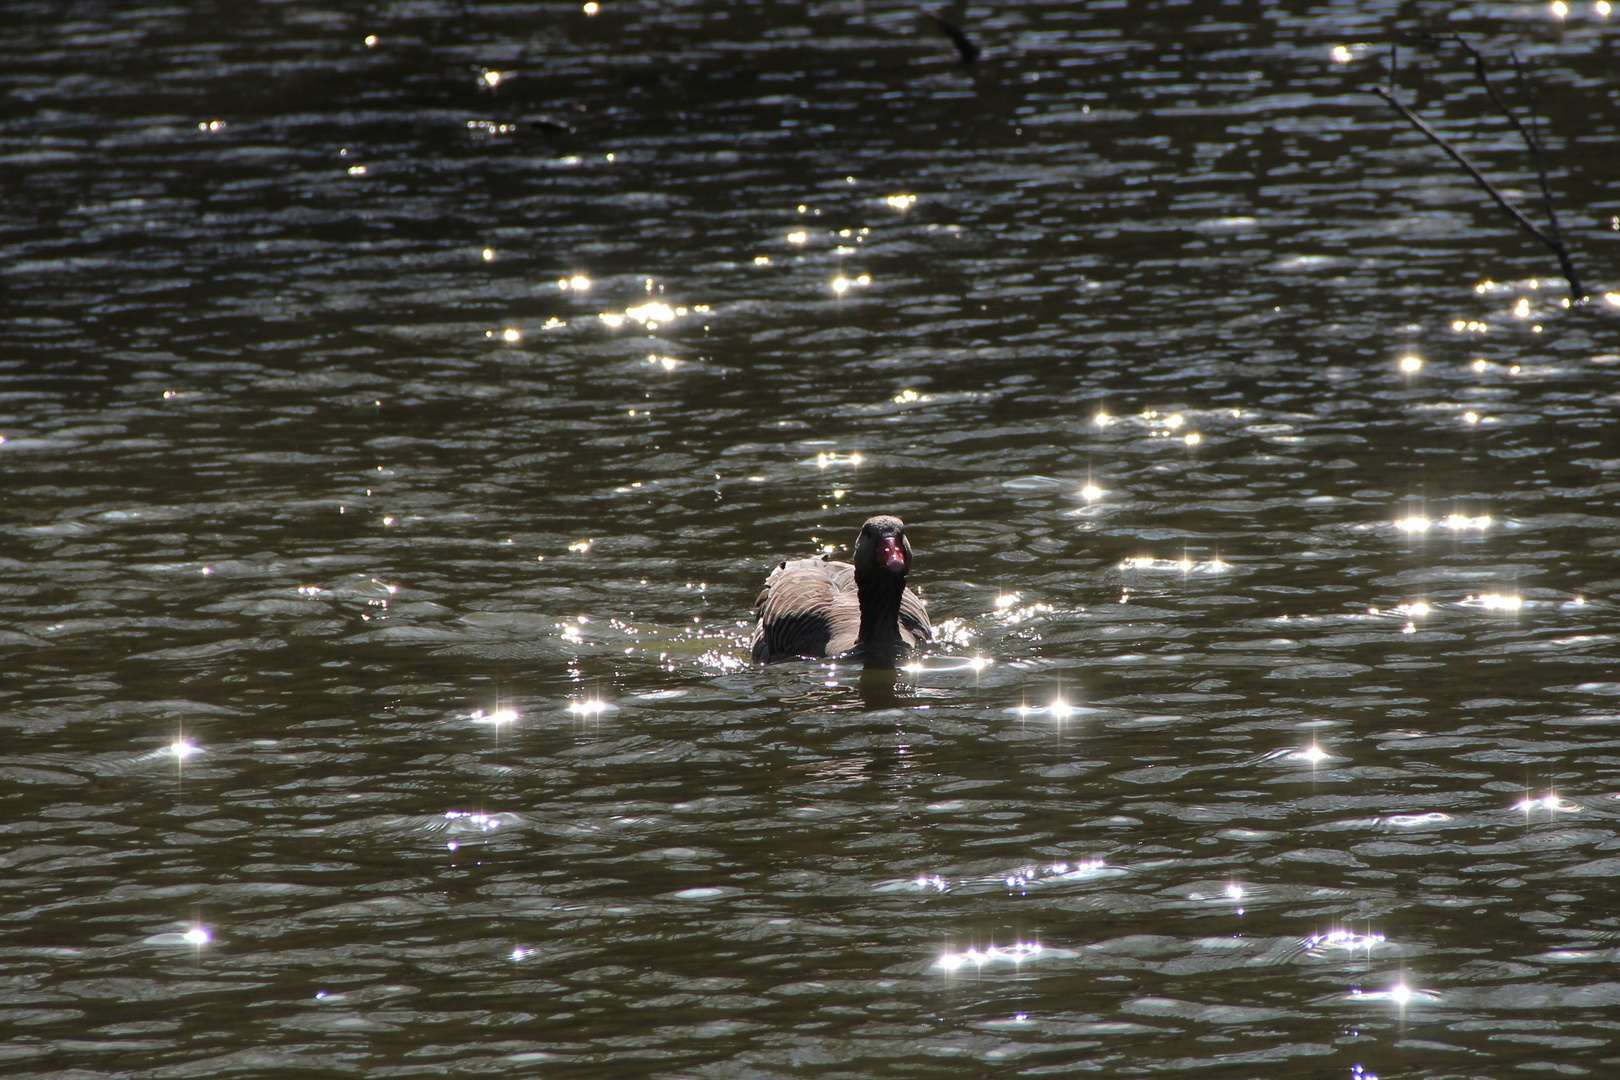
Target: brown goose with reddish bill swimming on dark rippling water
[{"x": 814, "y": 608}]
